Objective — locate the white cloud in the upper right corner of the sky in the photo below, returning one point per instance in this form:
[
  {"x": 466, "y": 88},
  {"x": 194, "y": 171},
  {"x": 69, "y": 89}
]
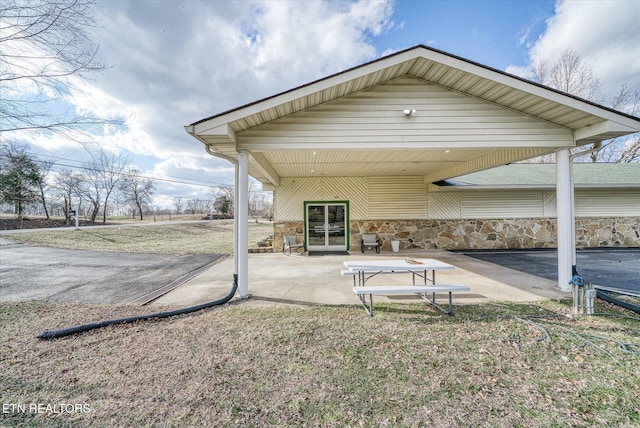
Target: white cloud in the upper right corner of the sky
[{"x": 606, "y": 34}]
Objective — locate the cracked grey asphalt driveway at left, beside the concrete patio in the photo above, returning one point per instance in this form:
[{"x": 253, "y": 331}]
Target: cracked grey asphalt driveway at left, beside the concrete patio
[{"x": 58, "y": 275}]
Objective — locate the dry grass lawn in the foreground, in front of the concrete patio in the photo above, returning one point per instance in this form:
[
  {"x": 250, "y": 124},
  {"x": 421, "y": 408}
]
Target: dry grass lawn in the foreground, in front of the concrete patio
[{"x": 489, "y": 365}]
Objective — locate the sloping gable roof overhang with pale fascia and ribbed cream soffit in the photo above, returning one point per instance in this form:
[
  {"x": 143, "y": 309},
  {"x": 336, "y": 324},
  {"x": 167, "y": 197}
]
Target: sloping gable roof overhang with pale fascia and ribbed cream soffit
[{"x": 434, "y": 66}]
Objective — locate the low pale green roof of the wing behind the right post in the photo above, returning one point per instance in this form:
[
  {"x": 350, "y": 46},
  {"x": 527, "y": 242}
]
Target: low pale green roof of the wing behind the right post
[{"x": 529, "y": 174}]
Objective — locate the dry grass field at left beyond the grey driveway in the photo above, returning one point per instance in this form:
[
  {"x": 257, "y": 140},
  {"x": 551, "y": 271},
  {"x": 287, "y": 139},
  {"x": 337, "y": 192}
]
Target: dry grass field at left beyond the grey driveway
[{"x": 208, "y": 237}]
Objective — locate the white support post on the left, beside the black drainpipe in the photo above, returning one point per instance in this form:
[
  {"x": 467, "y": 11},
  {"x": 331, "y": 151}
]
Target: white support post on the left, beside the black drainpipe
[{"x": 242, "y": 223}]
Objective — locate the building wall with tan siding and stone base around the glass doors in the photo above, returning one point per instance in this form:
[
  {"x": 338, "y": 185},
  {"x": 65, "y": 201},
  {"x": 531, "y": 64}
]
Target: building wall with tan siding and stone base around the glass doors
[{"x": 401, "y": 208}]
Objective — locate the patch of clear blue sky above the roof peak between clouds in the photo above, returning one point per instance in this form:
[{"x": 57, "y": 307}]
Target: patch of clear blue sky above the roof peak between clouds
[{"x": 494, "y": 33}]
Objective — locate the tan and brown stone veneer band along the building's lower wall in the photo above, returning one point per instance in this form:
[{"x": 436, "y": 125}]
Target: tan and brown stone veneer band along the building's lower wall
[{"x": 591, "y": 232}]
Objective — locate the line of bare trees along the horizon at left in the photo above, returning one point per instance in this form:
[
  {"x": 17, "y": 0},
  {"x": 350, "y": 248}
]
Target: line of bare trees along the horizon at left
[{"x": 105, "y": 185}]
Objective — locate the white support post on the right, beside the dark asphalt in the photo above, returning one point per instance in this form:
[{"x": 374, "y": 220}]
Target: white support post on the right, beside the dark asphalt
[{"x": 566, "y": 222}]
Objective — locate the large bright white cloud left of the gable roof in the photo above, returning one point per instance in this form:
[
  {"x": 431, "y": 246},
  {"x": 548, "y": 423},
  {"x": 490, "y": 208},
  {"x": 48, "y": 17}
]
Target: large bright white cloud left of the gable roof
[{"x": 175, "y": 62}]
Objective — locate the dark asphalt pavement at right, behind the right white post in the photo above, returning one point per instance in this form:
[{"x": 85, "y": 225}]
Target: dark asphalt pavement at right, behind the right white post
[{"x": 607, "y": 267}]
